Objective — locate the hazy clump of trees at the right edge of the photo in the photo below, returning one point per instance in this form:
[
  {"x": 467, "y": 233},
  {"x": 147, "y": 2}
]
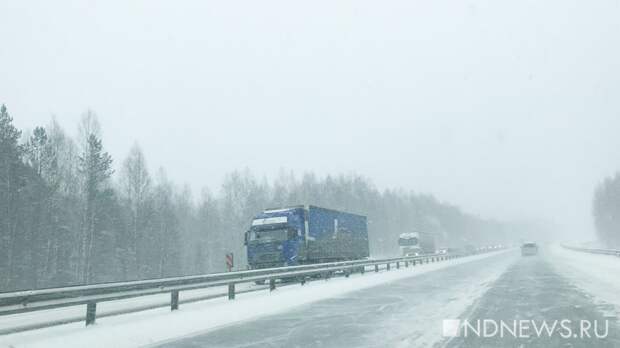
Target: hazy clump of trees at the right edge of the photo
[{"x": 606, "y": 211}]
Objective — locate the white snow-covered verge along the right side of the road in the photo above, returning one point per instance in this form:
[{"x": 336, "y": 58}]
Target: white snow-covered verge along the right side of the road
[{"x": 598, "y": 275}]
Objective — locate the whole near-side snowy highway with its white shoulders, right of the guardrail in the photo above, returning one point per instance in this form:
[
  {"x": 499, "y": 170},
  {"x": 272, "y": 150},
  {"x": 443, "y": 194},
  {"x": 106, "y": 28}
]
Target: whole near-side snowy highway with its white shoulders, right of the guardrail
[{"x": 400, "y": 308}]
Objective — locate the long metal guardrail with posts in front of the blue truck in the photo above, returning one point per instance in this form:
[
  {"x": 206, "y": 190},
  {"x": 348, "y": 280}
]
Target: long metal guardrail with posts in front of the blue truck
[{"x": 35, "y": 300}]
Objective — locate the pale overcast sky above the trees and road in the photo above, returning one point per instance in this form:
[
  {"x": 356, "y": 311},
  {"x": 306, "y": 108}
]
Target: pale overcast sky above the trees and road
[{"x": 509, "y": 109}]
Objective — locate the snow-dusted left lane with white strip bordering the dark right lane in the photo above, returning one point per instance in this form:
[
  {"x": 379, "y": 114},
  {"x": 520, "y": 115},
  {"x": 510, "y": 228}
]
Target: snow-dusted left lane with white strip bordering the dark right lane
[{"x": 405, "y": 312}]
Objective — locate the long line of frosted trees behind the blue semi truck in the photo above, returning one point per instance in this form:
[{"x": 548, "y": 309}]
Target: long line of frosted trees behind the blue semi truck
[{"x": 67, "y": 217}]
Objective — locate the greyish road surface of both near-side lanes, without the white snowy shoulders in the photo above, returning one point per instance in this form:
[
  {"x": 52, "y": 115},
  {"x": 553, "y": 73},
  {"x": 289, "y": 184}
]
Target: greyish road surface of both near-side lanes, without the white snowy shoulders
[{"x": 410, "y": 312}]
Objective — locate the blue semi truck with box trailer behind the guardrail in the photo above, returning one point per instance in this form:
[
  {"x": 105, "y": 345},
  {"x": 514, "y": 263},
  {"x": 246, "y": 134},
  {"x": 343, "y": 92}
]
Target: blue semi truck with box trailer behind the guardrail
[{"x": 305, "y": 234}]
